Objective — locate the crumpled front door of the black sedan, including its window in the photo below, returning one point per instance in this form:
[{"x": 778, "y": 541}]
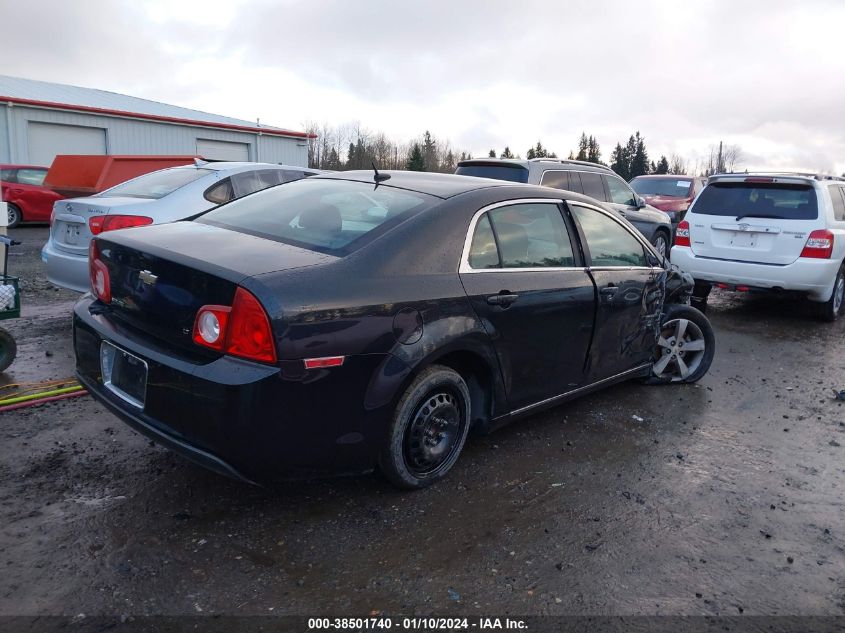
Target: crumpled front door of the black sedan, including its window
[{"x": 630, "y": 294}]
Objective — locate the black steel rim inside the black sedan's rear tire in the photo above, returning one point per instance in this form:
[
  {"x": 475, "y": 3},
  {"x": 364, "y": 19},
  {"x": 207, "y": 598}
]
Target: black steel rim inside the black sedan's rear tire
[{"x": 434, "y": 432}]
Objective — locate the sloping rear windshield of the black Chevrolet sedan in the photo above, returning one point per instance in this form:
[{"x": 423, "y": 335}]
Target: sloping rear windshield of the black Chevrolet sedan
[{"x": 330, "y": 216}]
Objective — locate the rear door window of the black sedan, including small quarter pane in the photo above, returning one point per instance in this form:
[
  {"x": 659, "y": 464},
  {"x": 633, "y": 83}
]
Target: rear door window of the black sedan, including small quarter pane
[{"x": 530, "y": 235}]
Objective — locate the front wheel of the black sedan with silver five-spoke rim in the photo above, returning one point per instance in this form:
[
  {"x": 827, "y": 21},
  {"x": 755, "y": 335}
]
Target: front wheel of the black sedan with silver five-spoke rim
[{"x": 688, "y": 361}]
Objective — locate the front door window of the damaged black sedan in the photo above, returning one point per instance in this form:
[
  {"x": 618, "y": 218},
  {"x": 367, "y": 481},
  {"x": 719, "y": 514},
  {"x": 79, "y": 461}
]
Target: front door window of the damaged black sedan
[{"x": 610, "y": 243}]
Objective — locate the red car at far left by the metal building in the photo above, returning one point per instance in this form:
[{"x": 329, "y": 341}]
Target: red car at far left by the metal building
[{"x": 23, "y": 191}]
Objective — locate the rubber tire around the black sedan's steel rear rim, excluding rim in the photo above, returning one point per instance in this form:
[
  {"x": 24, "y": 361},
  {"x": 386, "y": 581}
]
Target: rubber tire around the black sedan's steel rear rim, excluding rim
[{"x": 392, "y": 459}]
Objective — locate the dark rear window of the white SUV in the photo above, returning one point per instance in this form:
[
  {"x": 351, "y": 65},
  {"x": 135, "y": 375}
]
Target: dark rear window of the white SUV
[{"x": 758, "y": 200}]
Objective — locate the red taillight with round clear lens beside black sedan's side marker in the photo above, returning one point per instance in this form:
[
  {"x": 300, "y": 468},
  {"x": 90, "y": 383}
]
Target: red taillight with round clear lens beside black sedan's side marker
[{"x": 242, "y": 330}]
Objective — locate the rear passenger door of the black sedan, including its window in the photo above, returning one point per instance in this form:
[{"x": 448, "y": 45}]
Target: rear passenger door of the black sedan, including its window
[{"x": 528, "y": 285}]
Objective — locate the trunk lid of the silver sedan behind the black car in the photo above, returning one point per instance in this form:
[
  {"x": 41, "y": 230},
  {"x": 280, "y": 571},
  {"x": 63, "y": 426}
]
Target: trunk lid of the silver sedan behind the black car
[{"x": 70, "y": 231}]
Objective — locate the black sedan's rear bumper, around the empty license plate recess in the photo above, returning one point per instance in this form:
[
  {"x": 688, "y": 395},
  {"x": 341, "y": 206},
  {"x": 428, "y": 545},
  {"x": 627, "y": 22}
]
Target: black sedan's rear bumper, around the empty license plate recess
[{"x": 246, "y": 420}]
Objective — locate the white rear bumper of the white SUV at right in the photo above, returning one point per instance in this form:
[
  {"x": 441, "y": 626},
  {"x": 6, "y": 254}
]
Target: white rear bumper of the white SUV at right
[{"x": 813, "y": 277}]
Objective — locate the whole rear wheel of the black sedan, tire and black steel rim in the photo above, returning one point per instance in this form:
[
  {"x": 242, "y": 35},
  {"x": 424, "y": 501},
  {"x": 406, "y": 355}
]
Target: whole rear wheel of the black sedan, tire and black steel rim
[{"x": 428, "y": 430}]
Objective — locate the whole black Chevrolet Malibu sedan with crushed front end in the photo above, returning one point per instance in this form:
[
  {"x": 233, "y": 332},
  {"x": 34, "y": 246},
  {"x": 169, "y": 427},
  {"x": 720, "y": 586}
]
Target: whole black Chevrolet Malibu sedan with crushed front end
[{"x": 369, "y": 320}]
